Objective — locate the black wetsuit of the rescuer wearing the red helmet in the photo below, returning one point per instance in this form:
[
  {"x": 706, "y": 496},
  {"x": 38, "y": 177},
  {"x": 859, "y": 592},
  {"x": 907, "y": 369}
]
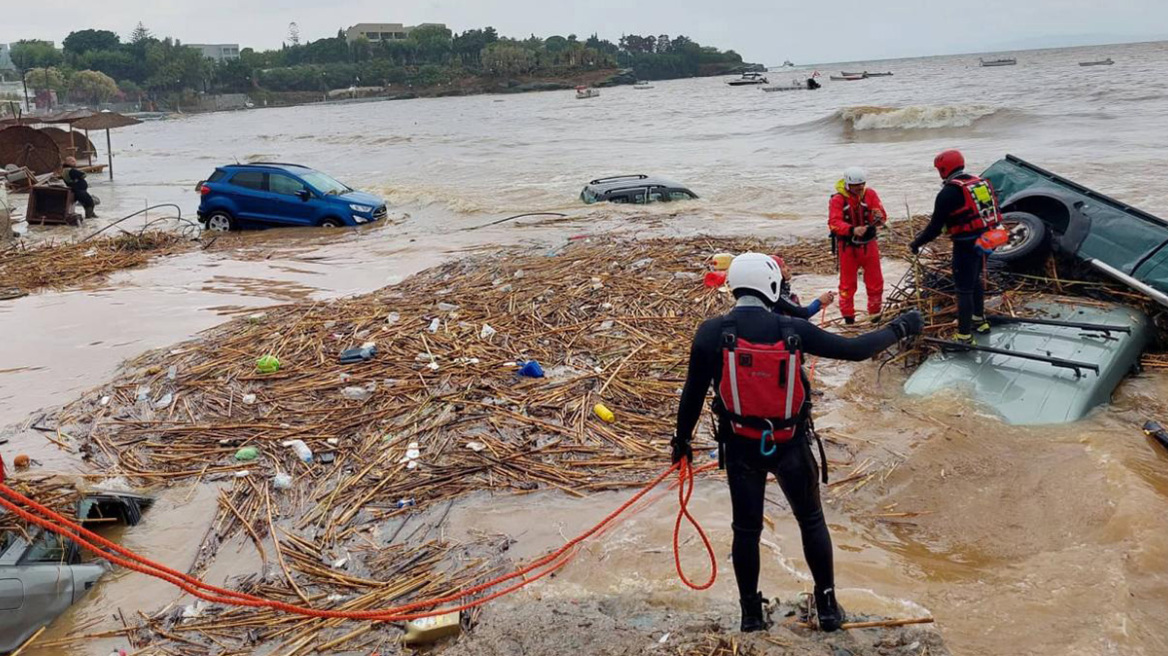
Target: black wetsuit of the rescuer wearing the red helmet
[{"x": 969, "y": 262}]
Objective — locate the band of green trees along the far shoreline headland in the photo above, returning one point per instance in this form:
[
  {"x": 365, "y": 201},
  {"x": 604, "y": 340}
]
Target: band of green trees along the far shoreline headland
[{"x": 96, "y": 67}]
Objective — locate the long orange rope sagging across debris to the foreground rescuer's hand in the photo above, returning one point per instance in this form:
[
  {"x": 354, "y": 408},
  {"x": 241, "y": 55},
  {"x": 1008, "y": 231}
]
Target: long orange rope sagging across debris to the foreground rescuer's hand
[{"x": 53, "y": 522}]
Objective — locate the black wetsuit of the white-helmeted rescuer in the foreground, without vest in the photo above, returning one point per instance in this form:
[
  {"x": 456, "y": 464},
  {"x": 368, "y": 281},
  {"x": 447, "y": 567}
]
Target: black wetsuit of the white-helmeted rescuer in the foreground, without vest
[{"x": 792, "y": 464}]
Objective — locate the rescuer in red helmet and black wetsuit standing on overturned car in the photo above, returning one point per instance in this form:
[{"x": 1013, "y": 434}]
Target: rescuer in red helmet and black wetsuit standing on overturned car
[{"x": 967, "y": 210}]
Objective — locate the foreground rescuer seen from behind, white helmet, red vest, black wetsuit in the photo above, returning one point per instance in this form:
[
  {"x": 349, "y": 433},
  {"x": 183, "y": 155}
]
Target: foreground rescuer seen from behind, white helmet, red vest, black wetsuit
[{"x": 754, "y": 359}]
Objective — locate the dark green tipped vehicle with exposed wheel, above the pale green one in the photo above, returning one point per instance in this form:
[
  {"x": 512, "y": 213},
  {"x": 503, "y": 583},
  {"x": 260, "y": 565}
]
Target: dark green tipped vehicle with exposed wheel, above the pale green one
[{"x": 1048, "y": 213}]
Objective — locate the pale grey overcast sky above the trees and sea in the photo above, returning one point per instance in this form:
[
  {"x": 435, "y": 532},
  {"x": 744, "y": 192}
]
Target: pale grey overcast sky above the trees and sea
[{"x": 762, "y": 31}]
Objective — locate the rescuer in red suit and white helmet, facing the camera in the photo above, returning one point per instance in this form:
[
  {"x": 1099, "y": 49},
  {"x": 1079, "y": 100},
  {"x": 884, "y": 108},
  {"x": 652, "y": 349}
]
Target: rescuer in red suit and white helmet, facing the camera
[{"x": 854, "y": 215}]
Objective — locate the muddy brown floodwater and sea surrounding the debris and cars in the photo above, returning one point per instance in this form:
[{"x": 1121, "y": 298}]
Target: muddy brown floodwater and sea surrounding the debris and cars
[{"x": 1019, "y": 541}]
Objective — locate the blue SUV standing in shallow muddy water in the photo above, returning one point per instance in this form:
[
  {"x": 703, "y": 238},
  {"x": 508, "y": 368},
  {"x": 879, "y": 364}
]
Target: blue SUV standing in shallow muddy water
[{"x": 267, "y": 194}]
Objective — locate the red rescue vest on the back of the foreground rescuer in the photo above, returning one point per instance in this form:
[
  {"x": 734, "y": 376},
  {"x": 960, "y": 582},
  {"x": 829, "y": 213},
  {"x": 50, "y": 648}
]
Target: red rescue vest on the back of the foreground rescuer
[{"x": 762, "y": 393}]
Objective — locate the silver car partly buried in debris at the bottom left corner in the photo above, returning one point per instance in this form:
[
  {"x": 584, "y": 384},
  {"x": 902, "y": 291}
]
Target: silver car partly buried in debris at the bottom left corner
[{"x": 43, "y": 575}]
